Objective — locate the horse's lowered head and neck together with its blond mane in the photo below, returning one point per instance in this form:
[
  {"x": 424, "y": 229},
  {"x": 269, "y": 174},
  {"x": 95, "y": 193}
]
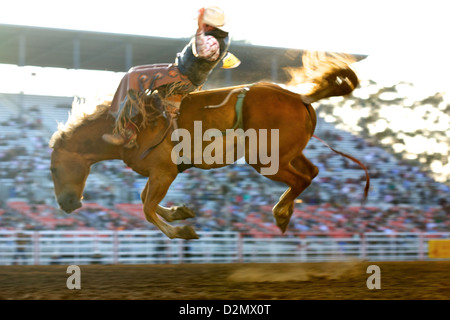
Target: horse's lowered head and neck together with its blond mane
[{"x": 76, "y": 146}]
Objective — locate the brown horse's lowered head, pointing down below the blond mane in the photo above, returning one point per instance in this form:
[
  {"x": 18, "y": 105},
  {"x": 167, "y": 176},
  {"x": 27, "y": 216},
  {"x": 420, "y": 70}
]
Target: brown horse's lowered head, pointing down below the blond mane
[{"x": 69, "y": 173}]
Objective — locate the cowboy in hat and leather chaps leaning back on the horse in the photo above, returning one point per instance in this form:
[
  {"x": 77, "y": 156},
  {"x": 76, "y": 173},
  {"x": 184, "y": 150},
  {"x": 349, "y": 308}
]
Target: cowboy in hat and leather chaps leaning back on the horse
[{"x": 174, "y": 81}]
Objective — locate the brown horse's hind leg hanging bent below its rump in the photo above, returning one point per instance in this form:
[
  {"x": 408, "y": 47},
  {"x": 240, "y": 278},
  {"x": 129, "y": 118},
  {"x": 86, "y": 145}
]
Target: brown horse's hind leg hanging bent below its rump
[{"x": 297, "y": 174}]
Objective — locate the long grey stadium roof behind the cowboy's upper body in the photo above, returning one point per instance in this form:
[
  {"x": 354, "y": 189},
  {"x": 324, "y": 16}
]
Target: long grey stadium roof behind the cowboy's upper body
[{"x": 73, "y": 49}]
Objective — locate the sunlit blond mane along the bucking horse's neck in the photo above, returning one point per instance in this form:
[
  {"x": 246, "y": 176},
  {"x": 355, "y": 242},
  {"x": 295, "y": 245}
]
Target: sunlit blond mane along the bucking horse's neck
[{"x": 81, "y": 113}]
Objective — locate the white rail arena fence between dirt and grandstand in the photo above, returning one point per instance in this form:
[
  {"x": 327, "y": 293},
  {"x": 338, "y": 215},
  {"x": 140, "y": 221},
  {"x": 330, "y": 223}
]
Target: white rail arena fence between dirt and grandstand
[{"x": 151, "y": 247}]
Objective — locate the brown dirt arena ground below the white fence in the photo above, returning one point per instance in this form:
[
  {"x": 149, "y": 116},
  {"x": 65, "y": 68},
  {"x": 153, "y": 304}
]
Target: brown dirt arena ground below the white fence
[{"x": 293, "y": 281}]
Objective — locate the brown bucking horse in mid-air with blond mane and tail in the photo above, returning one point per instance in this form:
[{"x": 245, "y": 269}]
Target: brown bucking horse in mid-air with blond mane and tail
[{"x": 288, "y": 116}]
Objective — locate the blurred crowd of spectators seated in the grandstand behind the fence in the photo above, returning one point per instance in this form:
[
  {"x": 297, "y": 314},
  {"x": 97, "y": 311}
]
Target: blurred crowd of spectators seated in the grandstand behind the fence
[{"x": 404, "y": 197}]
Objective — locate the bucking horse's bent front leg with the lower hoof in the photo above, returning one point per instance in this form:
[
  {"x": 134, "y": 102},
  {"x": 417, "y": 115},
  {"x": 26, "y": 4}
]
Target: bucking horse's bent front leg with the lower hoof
[{"x": 152, "y": 194}]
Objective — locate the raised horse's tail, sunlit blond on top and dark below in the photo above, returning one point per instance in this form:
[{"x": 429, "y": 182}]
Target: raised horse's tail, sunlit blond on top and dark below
[{"x": 324, "y": 75}]
